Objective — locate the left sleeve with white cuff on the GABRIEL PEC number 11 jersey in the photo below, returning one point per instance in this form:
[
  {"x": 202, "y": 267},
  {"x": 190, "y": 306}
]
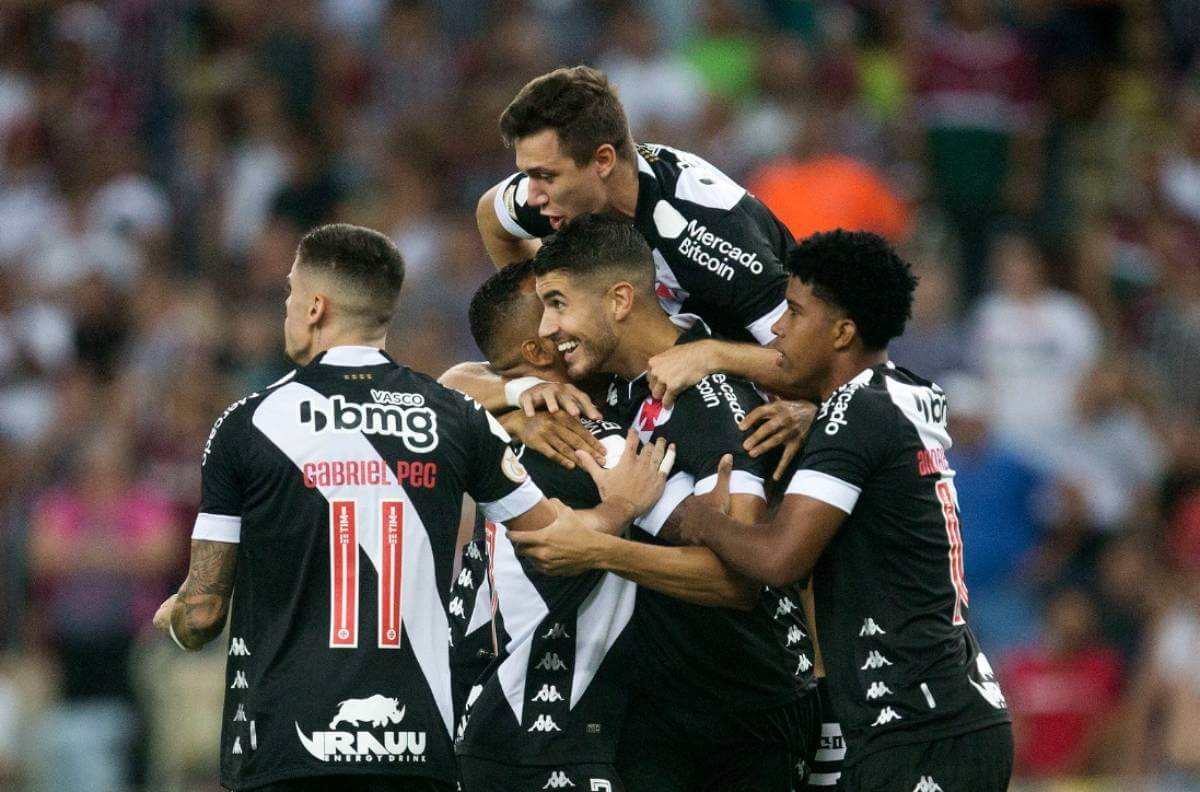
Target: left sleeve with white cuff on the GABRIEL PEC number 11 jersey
[{"x": 223, "y": 481}]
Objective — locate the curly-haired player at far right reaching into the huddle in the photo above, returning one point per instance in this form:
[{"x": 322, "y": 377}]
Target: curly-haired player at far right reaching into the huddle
[{"x": 873, "y": 514}]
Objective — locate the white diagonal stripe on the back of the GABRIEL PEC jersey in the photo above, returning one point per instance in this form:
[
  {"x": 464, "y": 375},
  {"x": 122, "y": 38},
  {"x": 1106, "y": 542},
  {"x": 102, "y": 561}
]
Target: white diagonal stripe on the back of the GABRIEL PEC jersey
[{"x": 424, "y": 614}]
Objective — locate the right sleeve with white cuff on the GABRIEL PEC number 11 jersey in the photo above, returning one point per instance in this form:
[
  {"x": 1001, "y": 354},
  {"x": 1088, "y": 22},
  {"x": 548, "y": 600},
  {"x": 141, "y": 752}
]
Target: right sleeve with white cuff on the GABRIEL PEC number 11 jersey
[{"x": 496, "y": 478}]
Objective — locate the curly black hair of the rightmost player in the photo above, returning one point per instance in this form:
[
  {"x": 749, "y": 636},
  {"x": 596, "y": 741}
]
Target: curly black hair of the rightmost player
[{"x": 861, "y": 274}]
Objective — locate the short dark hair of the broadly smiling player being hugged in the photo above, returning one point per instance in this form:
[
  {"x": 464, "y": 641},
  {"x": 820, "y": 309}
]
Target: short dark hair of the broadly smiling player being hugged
[{"x": 596, "y": 247}]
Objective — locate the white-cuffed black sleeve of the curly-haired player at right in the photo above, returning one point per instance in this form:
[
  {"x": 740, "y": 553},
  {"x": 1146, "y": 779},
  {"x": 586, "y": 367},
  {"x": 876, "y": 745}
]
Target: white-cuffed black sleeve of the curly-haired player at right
[{"x": 850, "y": 440}]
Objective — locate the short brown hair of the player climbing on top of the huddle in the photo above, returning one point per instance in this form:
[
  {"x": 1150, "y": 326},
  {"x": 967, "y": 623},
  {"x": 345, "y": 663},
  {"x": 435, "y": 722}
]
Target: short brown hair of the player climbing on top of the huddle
[{"x": 580, "y": 105}]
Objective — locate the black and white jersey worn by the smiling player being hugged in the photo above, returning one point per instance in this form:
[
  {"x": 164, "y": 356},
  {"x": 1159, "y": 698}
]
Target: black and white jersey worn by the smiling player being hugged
[{"x": 711, "y": 658}]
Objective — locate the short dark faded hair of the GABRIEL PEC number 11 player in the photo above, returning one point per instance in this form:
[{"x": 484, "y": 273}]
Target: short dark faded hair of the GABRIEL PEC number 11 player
[{"x": 363, "y": 260}]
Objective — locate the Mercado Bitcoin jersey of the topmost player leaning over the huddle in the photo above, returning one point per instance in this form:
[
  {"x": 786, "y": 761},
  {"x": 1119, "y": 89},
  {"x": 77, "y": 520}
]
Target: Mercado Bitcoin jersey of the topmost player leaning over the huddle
[{"x": 718, "y": 251}]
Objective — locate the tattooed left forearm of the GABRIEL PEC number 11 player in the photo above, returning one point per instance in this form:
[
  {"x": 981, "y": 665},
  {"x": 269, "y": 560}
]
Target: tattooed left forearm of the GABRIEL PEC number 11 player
[{"x": 203, "y": 602}]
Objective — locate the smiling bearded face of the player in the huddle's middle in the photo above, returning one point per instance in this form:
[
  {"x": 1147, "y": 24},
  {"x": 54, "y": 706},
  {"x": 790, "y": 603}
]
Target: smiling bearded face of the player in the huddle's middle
[{"x": 575, "y": 320}]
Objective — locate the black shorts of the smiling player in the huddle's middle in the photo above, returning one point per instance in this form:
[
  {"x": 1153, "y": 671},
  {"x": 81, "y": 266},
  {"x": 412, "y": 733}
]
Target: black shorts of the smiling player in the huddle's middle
[{"x": 668, "y": 749}]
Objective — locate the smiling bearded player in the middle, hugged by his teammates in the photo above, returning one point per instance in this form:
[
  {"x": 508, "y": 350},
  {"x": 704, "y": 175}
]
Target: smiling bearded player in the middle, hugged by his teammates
[{"x": 724, "y": 697}]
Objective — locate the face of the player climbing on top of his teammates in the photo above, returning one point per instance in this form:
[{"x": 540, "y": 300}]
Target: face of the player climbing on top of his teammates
[{"x": 559, "y": 188}]
